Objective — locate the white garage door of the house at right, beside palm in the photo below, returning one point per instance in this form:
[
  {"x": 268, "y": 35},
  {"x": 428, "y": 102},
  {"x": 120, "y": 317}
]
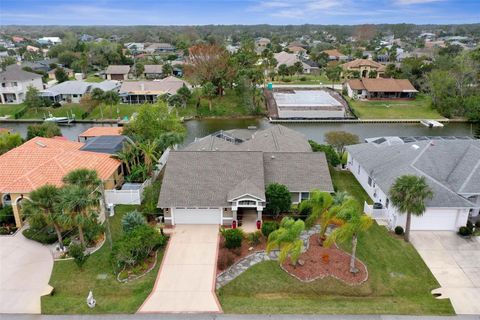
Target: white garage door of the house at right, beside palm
[{"x": 436, "y": 220}]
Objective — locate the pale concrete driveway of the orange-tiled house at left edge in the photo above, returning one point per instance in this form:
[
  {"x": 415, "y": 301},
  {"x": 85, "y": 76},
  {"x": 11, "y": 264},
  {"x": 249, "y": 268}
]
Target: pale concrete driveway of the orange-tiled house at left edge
[{"x": 25, "y": 269}]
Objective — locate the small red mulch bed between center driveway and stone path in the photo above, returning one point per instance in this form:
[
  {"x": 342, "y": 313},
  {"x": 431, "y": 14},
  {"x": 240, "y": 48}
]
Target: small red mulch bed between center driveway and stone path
[{"x": 227, "y": 257}]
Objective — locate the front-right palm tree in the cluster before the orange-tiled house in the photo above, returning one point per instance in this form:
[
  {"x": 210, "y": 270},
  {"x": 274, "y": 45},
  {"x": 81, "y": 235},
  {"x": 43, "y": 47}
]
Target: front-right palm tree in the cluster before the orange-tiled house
[{"x": 77, "y": 203}]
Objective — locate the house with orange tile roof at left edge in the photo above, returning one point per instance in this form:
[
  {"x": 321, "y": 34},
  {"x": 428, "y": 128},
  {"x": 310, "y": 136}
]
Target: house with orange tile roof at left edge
[{"x": 41, "y": 161}]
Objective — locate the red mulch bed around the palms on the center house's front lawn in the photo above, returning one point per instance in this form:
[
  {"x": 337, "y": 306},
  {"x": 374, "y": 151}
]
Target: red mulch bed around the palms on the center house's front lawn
[{"x": 316, "y": 266}]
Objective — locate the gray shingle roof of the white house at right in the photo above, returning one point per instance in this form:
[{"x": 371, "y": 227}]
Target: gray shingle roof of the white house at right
[{"x": 451, "y": 167}]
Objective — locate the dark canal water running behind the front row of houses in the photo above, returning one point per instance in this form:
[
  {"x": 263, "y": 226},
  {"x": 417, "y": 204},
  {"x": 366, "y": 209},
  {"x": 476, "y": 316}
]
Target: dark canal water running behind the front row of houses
[{"x": 314, "y": 131}]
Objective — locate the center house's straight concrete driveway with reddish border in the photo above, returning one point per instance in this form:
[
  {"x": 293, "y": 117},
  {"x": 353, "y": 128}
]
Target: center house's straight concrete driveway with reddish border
[{"x": 186, "y": 279}]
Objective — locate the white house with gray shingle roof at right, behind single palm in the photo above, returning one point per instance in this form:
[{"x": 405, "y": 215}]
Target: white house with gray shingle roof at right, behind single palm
[{"x": 450, "y": 167}]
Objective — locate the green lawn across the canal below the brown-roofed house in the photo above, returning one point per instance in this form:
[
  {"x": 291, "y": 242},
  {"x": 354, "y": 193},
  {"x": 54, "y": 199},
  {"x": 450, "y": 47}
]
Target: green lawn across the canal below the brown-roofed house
[{"x": 390, "y": 109}]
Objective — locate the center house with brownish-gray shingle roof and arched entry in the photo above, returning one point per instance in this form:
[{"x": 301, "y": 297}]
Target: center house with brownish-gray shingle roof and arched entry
[{"x": 224, "y": 184}]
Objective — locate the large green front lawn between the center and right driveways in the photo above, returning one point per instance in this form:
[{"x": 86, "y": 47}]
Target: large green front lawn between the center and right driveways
[{"x": 399, "y": 281}]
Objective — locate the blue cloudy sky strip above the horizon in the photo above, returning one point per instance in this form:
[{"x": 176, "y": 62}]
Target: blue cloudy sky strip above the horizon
[{"x": 195, "y": 12}]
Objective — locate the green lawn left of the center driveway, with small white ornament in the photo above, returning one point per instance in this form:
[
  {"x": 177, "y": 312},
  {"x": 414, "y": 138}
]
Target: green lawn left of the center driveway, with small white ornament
[{"x": 72, "y": 285}]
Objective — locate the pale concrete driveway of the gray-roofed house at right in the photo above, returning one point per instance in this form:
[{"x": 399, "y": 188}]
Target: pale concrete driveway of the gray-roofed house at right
[{"x": 455, "y": 263}]
